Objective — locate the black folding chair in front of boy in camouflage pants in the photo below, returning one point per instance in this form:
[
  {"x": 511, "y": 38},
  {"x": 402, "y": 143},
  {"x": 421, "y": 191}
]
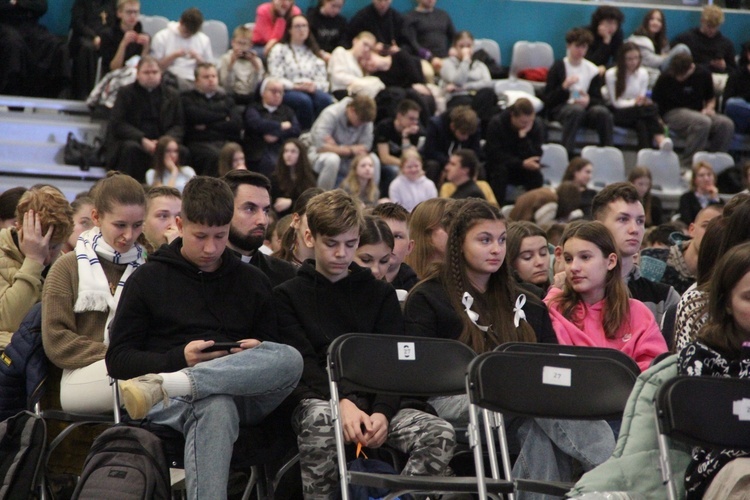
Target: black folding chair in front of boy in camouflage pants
[{"x": 401, "y": 365}]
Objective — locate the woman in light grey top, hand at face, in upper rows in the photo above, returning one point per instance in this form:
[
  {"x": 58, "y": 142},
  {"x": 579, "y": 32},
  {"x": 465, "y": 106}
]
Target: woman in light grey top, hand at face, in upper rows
[{"x": 462, "y": 76}]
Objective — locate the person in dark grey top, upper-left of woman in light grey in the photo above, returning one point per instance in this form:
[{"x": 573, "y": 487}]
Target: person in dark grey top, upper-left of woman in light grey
[{"x": 430, "y": 32}]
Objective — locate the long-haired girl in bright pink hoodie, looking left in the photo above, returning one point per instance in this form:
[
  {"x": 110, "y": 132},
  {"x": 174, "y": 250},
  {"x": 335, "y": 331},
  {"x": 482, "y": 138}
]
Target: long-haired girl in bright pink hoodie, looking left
[{"x": 594, "y": 307}]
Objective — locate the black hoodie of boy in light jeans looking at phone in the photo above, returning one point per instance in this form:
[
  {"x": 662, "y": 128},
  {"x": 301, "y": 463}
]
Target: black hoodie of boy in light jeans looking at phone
[{"x": 169, "y": 302}]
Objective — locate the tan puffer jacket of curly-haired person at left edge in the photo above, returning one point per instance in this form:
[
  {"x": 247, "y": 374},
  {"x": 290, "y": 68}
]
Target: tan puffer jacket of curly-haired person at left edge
[{"x": 20, "y": 285}]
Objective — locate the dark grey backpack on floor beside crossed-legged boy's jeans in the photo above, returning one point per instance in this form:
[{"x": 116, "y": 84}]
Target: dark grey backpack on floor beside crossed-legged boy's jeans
[{"x": 125, "y": 462}]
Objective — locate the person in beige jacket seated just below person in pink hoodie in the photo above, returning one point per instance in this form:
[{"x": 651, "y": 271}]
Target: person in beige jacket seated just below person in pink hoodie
[{"x": 240, "y": 69}]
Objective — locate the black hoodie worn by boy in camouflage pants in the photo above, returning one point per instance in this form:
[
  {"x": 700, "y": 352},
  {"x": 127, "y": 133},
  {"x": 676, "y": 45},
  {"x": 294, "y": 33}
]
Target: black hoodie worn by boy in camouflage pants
[{"x": 313, "y": 311}]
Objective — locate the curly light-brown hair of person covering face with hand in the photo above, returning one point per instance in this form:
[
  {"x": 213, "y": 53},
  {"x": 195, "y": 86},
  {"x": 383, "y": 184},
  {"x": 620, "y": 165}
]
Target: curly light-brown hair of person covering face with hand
[{"x": 52, "y": 208}]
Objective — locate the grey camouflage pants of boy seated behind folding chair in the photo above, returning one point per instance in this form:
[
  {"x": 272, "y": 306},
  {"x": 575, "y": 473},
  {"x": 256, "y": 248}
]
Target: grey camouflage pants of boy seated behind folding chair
[{"x": 428, "y": 440}]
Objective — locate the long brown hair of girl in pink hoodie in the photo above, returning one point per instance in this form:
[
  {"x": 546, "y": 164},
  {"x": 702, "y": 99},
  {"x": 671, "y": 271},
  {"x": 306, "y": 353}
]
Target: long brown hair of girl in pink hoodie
[{"x": 616, "y": 296}]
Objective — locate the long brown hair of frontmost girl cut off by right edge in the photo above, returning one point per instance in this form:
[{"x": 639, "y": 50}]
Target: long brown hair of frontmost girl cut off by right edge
[{"x": 721, "y": 332}]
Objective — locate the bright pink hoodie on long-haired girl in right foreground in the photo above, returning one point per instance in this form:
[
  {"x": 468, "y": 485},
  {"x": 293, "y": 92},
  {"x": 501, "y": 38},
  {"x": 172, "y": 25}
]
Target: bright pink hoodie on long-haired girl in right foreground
[{"x": 639, "y": 337}]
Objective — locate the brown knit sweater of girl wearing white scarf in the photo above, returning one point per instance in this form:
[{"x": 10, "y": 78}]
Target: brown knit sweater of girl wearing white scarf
[{"x": 73, "y": 340}]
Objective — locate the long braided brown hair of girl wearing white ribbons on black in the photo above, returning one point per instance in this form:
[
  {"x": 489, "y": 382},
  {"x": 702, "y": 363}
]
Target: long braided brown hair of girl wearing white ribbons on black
[{"x": 495, "y": 305}]
